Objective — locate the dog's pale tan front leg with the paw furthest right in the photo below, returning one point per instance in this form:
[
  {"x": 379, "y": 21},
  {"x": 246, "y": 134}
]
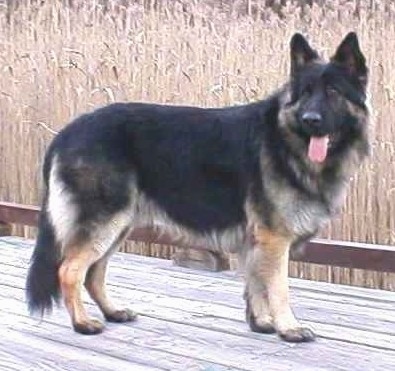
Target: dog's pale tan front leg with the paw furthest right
[{"x": 267, "y": 267}]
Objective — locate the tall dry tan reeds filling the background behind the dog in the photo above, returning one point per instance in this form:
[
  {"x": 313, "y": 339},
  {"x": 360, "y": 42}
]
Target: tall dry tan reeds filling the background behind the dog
[{"x": 57, "y": 63}]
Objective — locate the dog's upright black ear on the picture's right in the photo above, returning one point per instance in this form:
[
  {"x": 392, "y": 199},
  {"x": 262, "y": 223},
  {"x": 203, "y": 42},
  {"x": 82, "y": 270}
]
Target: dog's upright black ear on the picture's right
[{"x": 349, "y": 56}]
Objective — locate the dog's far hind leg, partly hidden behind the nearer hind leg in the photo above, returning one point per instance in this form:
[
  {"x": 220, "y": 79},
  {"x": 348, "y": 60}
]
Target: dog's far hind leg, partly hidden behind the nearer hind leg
[{"x": 95, "y": 283}]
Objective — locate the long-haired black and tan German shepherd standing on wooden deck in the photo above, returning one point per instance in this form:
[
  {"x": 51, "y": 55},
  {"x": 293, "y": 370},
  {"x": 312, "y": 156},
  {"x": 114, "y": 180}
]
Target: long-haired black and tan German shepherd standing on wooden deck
[{"x": 256, "y": 179}]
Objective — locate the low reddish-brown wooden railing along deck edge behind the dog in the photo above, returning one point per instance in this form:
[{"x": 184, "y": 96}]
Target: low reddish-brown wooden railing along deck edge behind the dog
[{"x": 335, "y": 253}]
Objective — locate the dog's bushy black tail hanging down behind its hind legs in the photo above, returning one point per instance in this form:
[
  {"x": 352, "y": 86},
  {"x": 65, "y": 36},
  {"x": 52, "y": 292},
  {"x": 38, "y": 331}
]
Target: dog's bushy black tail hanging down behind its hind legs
[{"x": 42, "y": 284}]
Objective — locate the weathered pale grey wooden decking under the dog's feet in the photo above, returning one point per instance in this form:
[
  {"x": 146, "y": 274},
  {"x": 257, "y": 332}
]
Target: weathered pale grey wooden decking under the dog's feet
[{"x": 192, "y": 320}]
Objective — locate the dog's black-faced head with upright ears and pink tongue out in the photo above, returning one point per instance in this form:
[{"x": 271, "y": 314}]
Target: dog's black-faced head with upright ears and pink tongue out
[{"x": 324, "y": 109}]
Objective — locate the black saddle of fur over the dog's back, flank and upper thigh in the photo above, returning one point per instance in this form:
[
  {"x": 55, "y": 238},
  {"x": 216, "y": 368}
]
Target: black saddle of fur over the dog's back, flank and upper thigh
[{"x": 195, "y": 164}]
